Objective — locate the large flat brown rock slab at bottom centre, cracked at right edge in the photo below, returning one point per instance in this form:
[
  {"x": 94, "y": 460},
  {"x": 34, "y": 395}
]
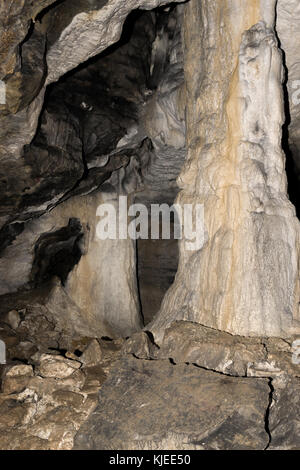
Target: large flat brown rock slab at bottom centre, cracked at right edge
[{"x": 156, "y": 405}]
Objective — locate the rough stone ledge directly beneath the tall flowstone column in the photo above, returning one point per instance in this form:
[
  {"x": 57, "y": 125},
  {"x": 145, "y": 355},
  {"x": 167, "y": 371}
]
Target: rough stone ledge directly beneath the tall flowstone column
[{"x": 185, "y": 342}]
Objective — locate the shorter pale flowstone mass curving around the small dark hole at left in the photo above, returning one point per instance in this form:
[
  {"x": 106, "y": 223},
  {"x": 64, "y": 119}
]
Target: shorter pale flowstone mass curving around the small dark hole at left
[{"x": 100, "y": 294}]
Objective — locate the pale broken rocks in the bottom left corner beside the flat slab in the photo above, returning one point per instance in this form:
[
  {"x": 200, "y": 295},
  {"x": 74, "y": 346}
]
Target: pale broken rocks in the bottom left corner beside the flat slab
[{"x": 45, "y": 413}]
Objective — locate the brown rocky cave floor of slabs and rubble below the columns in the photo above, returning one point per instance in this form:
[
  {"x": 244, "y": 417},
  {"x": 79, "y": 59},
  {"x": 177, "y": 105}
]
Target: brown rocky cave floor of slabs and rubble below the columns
[{"x": 199, "y": 389}]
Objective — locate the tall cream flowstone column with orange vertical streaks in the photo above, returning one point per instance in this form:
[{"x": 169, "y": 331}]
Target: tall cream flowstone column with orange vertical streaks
[{"x": 245, "y": 278}]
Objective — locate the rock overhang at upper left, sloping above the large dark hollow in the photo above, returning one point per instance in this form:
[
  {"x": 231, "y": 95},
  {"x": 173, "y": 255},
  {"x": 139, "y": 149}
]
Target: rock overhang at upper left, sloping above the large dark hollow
[{"x": 40, "y": 45}]
